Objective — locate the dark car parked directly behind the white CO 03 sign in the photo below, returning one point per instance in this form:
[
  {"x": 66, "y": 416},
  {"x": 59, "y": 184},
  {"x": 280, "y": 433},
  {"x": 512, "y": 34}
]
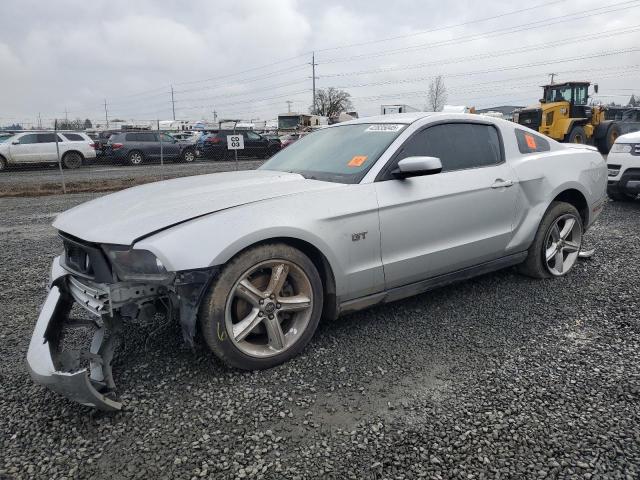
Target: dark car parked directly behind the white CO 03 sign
[{"x": 214, "y": 145}]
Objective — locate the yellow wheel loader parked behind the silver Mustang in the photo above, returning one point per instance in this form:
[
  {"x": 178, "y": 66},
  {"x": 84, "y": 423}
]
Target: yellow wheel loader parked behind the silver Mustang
[{"x": 565, "y": 115}]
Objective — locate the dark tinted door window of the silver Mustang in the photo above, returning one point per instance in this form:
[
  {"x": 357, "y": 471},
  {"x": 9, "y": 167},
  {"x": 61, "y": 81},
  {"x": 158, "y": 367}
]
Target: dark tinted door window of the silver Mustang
[{"x": 459, "y": 146}]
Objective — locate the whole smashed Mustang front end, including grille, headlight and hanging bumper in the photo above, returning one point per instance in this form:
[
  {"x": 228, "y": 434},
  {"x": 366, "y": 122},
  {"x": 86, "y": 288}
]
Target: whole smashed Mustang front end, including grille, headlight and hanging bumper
[{"x": 93, "y": 296}]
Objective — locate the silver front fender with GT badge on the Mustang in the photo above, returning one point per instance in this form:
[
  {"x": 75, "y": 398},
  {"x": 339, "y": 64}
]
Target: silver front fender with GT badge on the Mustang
[{"x": 326, "y": 221}]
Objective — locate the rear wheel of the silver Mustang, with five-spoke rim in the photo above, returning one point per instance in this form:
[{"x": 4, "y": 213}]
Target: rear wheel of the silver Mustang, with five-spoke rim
[{"x": 557, "y": 243}]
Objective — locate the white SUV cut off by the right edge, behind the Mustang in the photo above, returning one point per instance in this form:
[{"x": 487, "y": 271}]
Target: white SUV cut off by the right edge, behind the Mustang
[{"x": 623, "y": 163}]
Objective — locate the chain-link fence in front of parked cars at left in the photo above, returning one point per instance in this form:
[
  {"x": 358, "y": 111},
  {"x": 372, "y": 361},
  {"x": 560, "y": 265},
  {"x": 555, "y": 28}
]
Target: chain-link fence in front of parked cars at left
[{"x": 59, "y": 161}]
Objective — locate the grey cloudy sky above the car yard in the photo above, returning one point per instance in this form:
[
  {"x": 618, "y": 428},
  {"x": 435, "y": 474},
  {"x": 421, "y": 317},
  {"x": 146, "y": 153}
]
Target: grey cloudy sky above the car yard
[{"x": 246, "y": 58}]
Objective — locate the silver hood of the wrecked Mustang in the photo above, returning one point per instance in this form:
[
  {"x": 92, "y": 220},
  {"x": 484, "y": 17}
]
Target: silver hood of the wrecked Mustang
[{"x": 126, "y": 216}]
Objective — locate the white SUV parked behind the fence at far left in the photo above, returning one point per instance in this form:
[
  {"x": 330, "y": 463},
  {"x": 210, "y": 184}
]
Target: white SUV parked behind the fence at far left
[{"x": 40, "y": 147}]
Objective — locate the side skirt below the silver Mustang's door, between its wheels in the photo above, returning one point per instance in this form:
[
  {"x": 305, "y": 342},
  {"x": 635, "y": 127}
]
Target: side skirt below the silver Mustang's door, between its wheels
[{"x": 422, "y": 286}]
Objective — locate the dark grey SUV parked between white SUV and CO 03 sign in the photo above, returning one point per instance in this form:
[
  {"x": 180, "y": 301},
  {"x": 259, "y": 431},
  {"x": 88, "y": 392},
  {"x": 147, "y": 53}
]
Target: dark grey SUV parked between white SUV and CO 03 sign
[{"x": 136, "y": 148}]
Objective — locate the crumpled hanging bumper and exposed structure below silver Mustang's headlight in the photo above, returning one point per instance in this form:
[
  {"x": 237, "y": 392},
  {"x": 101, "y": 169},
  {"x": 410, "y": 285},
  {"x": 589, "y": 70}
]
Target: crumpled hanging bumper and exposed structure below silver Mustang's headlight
[{"x": 84, "y": 374}]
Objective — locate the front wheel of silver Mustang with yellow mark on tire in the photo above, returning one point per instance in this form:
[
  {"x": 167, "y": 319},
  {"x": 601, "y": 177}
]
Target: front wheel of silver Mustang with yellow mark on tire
[{"x": 264, "y": 307}]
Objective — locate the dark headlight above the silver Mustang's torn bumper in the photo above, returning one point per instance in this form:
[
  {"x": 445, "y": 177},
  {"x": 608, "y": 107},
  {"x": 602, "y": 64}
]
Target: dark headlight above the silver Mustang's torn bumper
[{"x": 132, "y": 264}]
